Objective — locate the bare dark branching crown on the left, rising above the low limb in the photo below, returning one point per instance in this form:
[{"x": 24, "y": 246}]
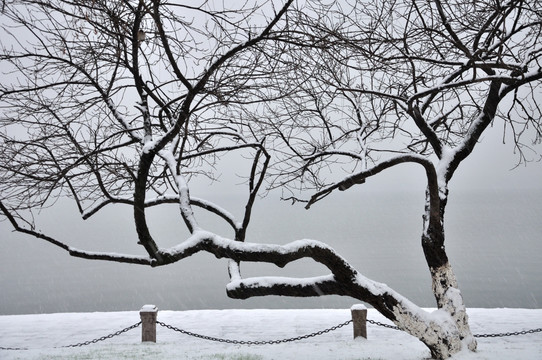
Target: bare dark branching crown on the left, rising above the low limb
[{"x": 107, "y": 102}]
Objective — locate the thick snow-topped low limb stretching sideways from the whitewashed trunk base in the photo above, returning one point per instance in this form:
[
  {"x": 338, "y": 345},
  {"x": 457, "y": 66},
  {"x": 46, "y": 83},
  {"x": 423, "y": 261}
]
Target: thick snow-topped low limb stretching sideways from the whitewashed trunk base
[{"x": 343, "y": 280}]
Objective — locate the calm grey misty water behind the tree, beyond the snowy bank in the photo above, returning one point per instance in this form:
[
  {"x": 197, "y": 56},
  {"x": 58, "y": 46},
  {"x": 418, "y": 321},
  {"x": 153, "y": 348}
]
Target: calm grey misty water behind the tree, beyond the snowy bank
[{"x": 493, "y": 240}]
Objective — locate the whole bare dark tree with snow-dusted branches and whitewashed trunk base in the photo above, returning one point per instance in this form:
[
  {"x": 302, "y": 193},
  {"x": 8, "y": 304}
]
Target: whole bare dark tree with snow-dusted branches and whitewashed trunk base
[{"x": 125, "y": 102}]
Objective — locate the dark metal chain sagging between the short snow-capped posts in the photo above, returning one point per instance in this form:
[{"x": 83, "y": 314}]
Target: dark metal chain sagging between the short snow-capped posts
[{"x": 262, "y": 342}]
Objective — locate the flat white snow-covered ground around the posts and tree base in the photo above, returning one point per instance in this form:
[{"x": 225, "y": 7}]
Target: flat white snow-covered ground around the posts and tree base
[{"x": 41, "y": 334}]
